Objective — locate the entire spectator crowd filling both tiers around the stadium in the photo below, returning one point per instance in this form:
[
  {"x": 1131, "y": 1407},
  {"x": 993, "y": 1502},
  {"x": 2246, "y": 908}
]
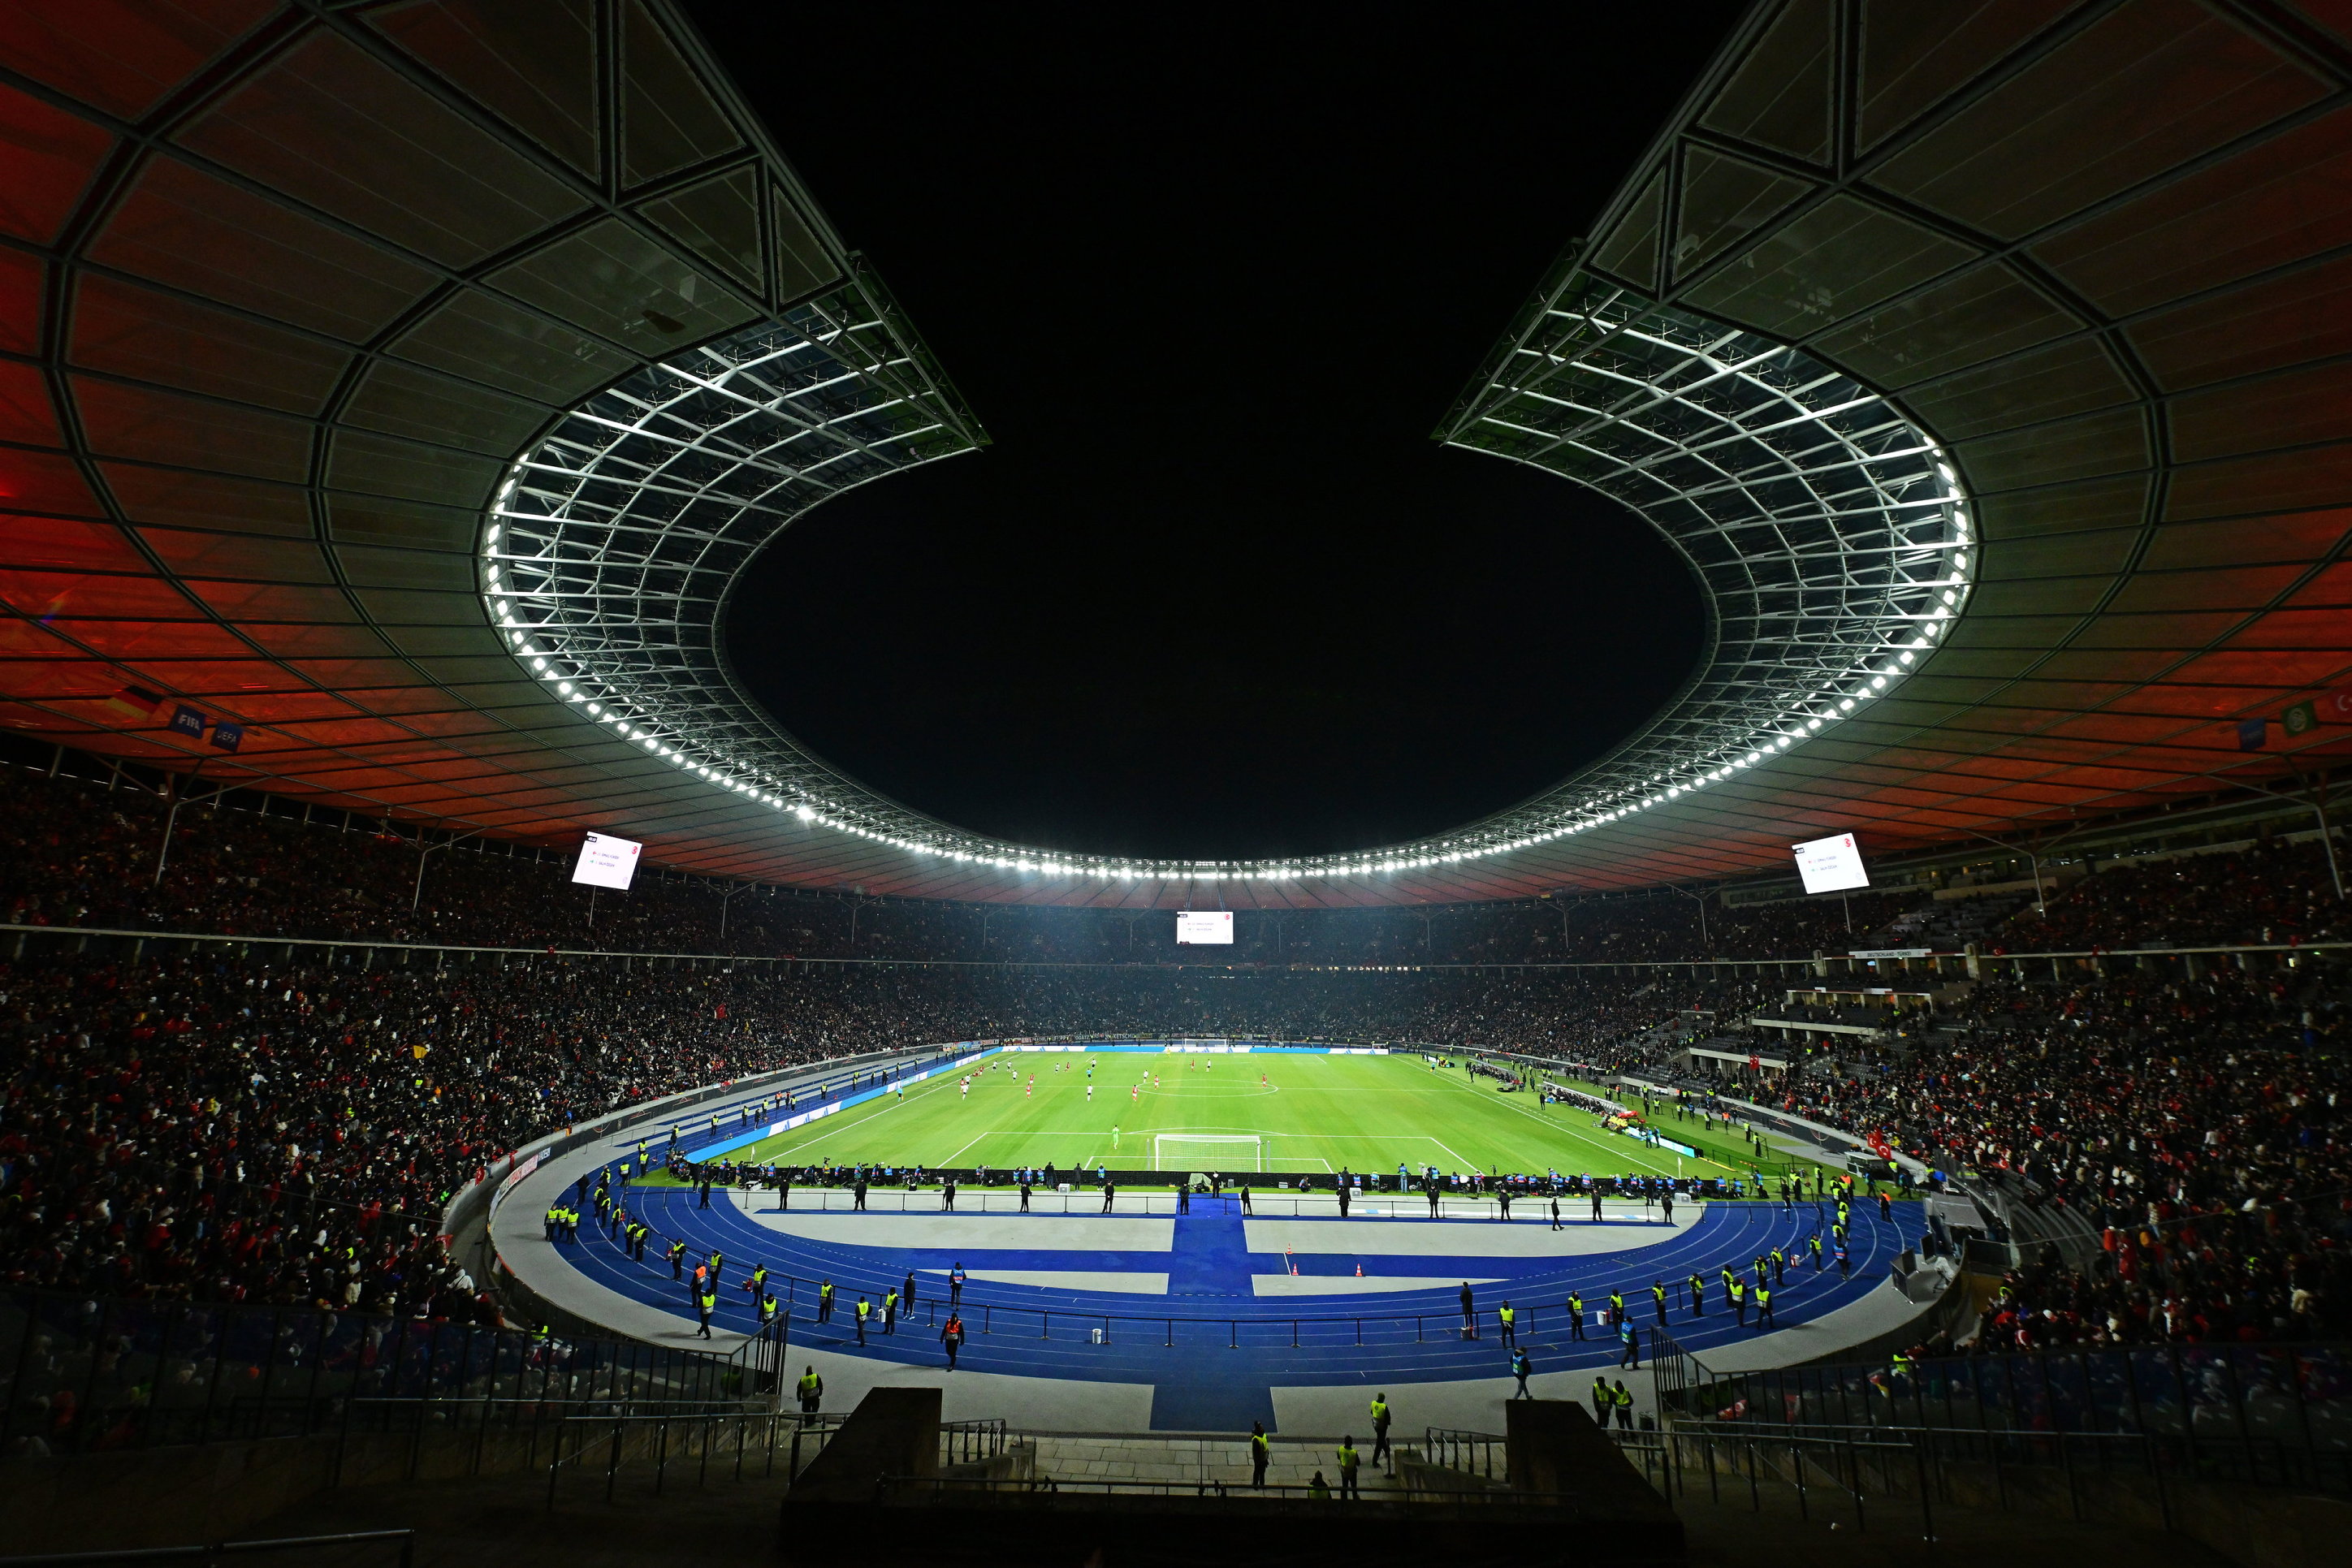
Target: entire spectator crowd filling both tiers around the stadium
[{"x": 288, "y": 1127}]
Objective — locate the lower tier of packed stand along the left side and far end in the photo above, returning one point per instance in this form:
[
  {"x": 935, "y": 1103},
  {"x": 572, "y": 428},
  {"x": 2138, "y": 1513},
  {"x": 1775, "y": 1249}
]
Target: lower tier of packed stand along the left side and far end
[{"x": 290, "y": 1132}]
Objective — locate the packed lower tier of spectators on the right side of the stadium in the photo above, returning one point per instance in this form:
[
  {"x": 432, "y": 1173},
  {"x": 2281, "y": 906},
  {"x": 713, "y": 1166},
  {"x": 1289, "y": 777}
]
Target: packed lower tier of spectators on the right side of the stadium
[{"x": 2198, "y": 1127}]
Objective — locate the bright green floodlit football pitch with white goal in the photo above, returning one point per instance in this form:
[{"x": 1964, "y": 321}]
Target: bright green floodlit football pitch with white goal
[{"x": 1309, "y": 1115}]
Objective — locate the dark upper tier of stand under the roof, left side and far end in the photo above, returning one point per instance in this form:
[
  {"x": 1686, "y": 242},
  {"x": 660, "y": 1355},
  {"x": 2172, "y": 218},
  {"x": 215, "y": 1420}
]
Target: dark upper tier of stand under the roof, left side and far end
[{"x": 86, "y": 855}]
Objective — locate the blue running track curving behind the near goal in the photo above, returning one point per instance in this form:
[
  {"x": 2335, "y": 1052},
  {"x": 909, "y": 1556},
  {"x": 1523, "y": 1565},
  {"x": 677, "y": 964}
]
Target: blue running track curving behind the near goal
[{"x": 1212, "y": 1348}]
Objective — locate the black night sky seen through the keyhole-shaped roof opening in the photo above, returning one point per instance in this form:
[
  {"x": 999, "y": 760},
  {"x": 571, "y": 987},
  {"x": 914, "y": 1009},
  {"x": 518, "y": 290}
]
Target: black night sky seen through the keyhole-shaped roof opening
[{"x": 1212, "y": 591}]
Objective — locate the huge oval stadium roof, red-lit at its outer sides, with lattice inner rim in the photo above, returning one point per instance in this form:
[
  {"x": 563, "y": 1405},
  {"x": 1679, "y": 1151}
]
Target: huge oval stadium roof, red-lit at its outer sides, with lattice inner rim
[{"x": 406, "y": 387}]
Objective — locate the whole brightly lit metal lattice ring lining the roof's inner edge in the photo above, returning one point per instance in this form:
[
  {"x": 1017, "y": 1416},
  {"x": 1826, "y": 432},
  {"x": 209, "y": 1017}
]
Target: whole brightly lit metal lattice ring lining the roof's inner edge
[{"x": 1824, "y": 528}]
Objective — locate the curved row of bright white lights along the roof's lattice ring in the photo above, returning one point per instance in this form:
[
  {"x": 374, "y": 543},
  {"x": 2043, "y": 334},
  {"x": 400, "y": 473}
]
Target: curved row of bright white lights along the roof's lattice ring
[{"x": 1800, "y": 725}]
